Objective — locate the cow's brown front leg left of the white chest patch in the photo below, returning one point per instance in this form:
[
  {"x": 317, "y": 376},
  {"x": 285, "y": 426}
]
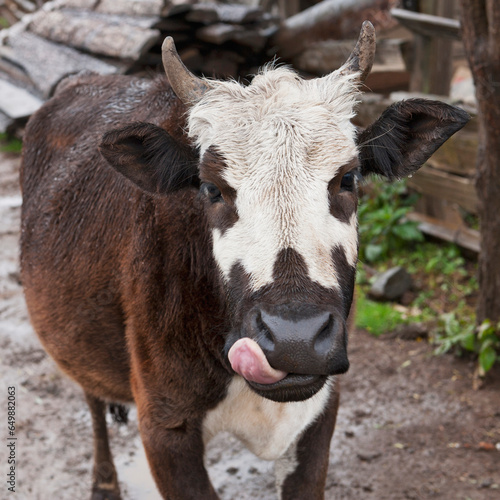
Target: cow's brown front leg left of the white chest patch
[{"x": 175, "y": 457}]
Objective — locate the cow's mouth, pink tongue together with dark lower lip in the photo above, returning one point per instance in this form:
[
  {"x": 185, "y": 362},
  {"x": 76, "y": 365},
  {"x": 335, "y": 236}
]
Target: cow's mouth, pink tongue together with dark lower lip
[{"x": 248, "y": 360}]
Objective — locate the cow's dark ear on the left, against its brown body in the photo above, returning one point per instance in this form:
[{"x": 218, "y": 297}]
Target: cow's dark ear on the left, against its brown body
[{"x": 150, "y": 157}]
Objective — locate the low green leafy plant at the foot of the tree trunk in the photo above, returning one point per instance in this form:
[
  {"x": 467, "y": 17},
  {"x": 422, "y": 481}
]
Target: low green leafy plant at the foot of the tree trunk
[{"x": 462, "y": 335}]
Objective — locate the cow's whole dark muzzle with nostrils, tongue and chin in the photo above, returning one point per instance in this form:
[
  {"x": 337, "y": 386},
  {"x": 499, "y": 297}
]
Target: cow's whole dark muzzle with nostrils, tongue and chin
[{"x": 286, "y": 353}]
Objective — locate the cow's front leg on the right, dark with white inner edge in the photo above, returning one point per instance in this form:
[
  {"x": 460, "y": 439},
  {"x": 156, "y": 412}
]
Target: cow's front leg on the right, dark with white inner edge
[{"x": 301, "y": 472}]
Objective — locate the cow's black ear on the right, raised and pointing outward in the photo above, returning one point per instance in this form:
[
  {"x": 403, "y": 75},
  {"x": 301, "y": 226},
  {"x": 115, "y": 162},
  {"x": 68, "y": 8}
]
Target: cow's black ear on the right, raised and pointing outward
[{"x": 406, "y": 135}]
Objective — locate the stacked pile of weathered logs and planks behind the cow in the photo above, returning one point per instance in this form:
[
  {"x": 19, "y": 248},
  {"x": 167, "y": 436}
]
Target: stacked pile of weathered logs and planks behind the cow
[{"x": 217, "y": 39}]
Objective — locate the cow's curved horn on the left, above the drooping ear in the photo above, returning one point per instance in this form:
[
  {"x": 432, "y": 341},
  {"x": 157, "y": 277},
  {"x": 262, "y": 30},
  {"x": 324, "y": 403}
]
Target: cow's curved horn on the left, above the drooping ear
[{"x": 188, "y": 87}]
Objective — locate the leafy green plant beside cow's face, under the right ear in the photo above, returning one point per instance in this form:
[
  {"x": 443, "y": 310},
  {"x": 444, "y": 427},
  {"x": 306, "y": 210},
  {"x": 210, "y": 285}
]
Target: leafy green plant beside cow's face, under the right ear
[{"x": 383, "y": 226}]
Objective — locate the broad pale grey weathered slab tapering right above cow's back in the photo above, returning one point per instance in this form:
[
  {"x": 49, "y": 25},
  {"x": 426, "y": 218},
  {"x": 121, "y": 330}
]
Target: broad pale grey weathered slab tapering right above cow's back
[{"x": 48, "y": 63}]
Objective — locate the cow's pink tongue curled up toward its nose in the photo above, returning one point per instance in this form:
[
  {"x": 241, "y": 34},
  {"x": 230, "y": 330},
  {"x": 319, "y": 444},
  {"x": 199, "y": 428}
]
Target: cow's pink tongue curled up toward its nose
[{"x": 248, "y": 360}]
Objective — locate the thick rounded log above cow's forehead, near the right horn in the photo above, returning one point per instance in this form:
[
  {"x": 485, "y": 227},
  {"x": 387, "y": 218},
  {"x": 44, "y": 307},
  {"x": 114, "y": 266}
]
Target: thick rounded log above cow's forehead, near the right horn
[{"x": 330, "y": 19}]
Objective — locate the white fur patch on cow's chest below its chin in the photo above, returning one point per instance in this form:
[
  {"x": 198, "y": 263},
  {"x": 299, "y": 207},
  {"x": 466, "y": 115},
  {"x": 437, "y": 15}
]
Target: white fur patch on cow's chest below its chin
[{"x": 267, "y": 429}]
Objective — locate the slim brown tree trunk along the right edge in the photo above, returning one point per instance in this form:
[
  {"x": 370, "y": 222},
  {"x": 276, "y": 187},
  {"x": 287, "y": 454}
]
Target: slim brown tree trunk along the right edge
[{"x": 481, "y": 35}]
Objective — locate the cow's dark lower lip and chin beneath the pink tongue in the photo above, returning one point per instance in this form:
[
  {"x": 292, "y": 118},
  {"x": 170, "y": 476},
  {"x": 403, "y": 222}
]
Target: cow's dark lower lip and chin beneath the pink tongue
[{"x": 294, "y": 387}]
